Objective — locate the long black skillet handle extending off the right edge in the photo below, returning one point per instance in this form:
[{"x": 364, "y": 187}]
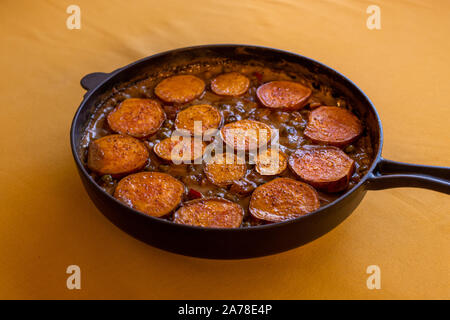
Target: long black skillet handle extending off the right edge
[{"x": 392, "y": 174}]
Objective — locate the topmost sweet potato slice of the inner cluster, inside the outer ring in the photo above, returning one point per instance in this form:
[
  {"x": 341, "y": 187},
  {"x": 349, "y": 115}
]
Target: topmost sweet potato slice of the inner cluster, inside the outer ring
[{"x": 209, "y": 117}]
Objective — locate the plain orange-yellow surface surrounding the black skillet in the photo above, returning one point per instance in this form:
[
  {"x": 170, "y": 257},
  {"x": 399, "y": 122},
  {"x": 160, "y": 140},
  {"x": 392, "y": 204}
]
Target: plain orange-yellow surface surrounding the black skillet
[{"x": 47, "y": 221}]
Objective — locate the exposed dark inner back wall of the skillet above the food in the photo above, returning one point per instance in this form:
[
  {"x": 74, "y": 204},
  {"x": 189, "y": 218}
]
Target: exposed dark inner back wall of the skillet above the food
[{"x": 179, "y": 61}]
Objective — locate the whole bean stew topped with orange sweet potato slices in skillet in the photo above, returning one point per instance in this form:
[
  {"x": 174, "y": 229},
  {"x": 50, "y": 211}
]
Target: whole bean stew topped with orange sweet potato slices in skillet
[{"x": 294, "y": 145}]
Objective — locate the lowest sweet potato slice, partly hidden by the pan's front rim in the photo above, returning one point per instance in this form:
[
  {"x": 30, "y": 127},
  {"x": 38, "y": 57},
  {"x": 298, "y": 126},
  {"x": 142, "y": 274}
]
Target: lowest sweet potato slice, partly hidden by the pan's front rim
[{"x": 211, "y": 213}]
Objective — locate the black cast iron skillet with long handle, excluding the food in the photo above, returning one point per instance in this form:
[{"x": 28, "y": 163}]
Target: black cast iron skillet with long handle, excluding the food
[{"x": 259, "y": 240}]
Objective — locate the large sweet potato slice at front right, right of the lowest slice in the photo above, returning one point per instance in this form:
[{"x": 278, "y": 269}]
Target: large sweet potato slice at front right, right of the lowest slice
[{"x": 283, "y": 199}]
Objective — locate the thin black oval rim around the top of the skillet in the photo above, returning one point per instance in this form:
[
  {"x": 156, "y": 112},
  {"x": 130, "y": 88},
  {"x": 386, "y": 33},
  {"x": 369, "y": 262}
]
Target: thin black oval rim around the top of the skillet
[{"x": 113, "y": 74}]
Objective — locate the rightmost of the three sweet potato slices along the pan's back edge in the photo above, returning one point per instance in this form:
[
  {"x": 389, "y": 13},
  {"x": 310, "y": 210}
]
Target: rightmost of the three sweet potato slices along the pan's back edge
[{"x": 285, "y": 95}]
